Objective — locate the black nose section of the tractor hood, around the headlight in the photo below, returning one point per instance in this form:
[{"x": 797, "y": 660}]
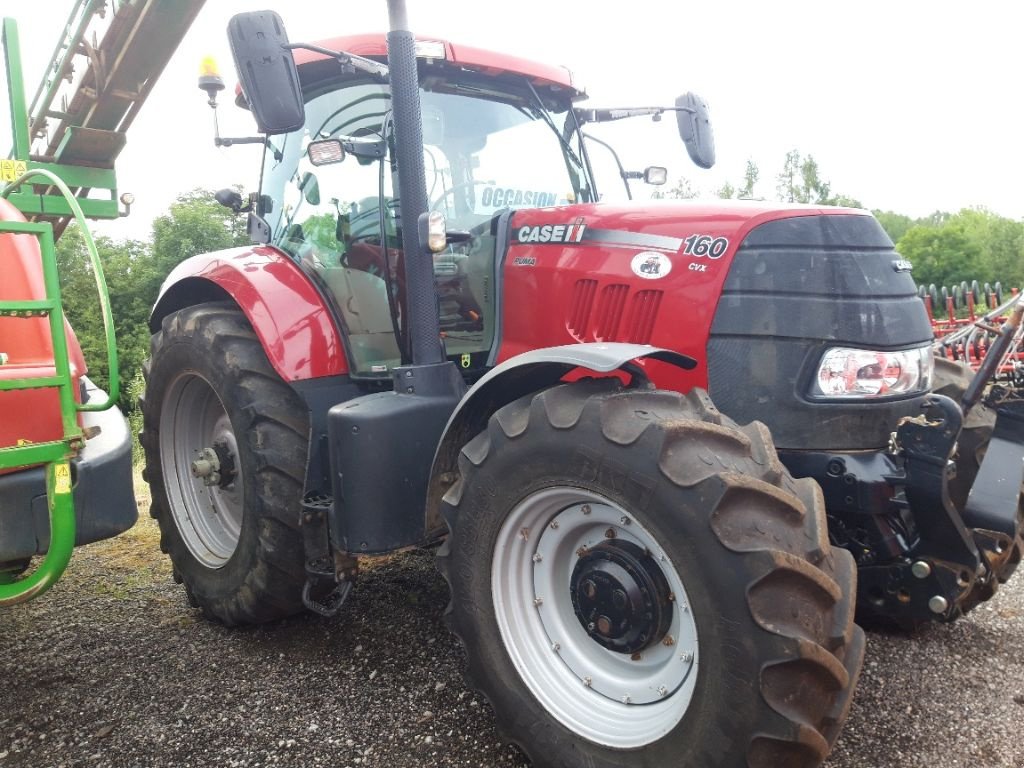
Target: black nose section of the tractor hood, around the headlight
[{"x": 797, "y": 287}]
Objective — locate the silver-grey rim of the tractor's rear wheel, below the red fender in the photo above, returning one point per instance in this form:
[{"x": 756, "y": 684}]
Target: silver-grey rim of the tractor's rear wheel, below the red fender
[{"x": 209, "y": 518}]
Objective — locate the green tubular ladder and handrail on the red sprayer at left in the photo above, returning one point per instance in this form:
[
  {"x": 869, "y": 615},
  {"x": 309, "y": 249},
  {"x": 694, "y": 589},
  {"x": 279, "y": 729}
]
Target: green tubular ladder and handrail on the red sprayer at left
[{"x": 58, "y": 454}]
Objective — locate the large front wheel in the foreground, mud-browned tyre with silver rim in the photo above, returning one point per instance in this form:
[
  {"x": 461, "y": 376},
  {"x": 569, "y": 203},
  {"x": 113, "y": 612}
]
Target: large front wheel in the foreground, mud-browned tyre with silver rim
[{"x": 758, "y": 655}]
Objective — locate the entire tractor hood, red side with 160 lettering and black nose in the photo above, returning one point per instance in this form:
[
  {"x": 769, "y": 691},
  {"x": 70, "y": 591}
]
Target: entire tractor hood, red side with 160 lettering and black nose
[{"x": 755, "y": 292}]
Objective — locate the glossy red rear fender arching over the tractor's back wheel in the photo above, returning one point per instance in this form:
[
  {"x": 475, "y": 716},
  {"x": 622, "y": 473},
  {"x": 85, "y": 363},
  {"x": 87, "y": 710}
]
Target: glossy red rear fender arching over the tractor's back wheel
[{"x": 286, "y": 311}]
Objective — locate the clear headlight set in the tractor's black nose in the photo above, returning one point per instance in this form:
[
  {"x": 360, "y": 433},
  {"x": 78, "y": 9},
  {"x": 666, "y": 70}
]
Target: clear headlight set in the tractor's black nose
[{"x": 864, "y": 373}]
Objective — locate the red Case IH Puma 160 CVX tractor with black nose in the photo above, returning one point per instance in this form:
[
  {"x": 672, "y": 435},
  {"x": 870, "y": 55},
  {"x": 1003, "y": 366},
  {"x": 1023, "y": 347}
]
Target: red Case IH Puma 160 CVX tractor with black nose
[{"x": 441, "y": 336}]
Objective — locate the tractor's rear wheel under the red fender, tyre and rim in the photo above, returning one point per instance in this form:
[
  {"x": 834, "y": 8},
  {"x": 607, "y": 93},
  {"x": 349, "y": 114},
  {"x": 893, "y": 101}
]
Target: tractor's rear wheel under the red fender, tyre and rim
[{"x": 236, "y": 546}]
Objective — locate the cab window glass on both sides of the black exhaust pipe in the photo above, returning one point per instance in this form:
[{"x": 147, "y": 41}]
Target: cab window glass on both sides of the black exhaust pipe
[{"x": 486, "y": 151}]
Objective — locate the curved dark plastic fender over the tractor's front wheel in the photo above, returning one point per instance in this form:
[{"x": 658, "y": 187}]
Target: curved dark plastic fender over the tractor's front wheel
[{"x": 530, "y": 372}]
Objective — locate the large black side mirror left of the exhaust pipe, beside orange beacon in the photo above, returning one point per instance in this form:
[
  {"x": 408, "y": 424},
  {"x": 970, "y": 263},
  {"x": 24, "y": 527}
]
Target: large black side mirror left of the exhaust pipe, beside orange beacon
[{"x": 267, "y": 69}]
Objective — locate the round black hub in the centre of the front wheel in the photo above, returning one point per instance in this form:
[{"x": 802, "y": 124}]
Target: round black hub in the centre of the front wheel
[{"x": 621, "y": 598}]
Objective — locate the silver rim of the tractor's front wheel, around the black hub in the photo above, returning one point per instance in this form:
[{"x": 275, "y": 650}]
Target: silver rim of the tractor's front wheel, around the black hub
[{"x": 606, "y": 697}]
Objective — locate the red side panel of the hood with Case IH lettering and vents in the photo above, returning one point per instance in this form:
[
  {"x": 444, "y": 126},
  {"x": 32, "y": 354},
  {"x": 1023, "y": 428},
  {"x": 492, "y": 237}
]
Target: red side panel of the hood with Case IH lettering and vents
[{"x": 674, "y": 311}]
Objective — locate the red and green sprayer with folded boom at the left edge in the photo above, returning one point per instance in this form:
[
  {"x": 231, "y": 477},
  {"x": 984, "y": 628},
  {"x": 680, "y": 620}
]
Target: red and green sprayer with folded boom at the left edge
[{"x": 65, "y": 450}]
